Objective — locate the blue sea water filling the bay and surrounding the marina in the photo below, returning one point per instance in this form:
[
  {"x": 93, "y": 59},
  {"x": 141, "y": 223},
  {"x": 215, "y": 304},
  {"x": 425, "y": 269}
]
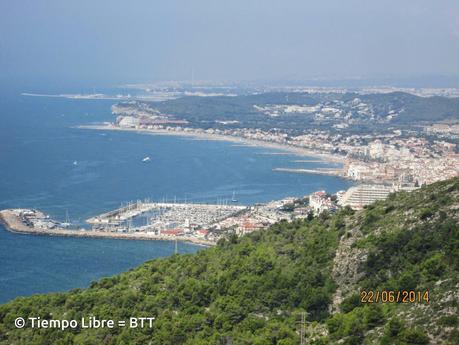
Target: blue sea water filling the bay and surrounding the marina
[{"x": 48, "y": 164}]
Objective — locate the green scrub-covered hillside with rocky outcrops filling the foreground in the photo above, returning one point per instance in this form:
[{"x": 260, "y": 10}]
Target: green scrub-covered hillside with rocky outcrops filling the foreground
[{"x": 252, "y": 290}]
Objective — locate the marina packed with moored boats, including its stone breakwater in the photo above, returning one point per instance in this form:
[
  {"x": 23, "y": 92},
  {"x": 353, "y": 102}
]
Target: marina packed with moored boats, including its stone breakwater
[{"x": 142, "y": 220}]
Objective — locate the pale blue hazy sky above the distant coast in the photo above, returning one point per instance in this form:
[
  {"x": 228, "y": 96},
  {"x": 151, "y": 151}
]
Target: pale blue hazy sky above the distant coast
[{"x": 227, "y": 40}]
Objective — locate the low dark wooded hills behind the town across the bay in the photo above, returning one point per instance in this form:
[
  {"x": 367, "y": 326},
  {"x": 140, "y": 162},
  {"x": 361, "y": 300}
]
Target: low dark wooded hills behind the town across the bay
[{"x": 202, "y": 112}]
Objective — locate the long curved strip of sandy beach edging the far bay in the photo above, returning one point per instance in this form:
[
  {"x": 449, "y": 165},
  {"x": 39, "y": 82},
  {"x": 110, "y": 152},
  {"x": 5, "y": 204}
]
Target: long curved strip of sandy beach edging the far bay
[{"x": 239, "y": 141}]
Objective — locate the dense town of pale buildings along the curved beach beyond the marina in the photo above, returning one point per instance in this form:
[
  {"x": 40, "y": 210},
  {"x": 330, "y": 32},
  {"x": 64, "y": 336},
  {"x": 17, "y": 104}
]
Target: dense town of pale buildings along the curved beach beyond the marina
[{"x": 400, "y": 156}]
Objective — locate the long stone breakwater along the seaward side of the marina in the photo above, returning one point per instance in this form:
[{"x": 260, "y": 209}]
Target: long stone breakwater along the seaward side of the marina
[{"x": 13, "y": 224}]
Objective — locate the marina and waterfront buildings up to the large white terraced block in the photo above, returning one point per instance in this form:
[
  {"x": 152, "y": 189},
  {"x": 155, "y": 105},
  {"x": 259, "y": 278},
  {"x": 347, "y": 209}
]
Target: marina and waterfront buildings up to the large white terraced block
[{"x": 193, "y": 222}]
